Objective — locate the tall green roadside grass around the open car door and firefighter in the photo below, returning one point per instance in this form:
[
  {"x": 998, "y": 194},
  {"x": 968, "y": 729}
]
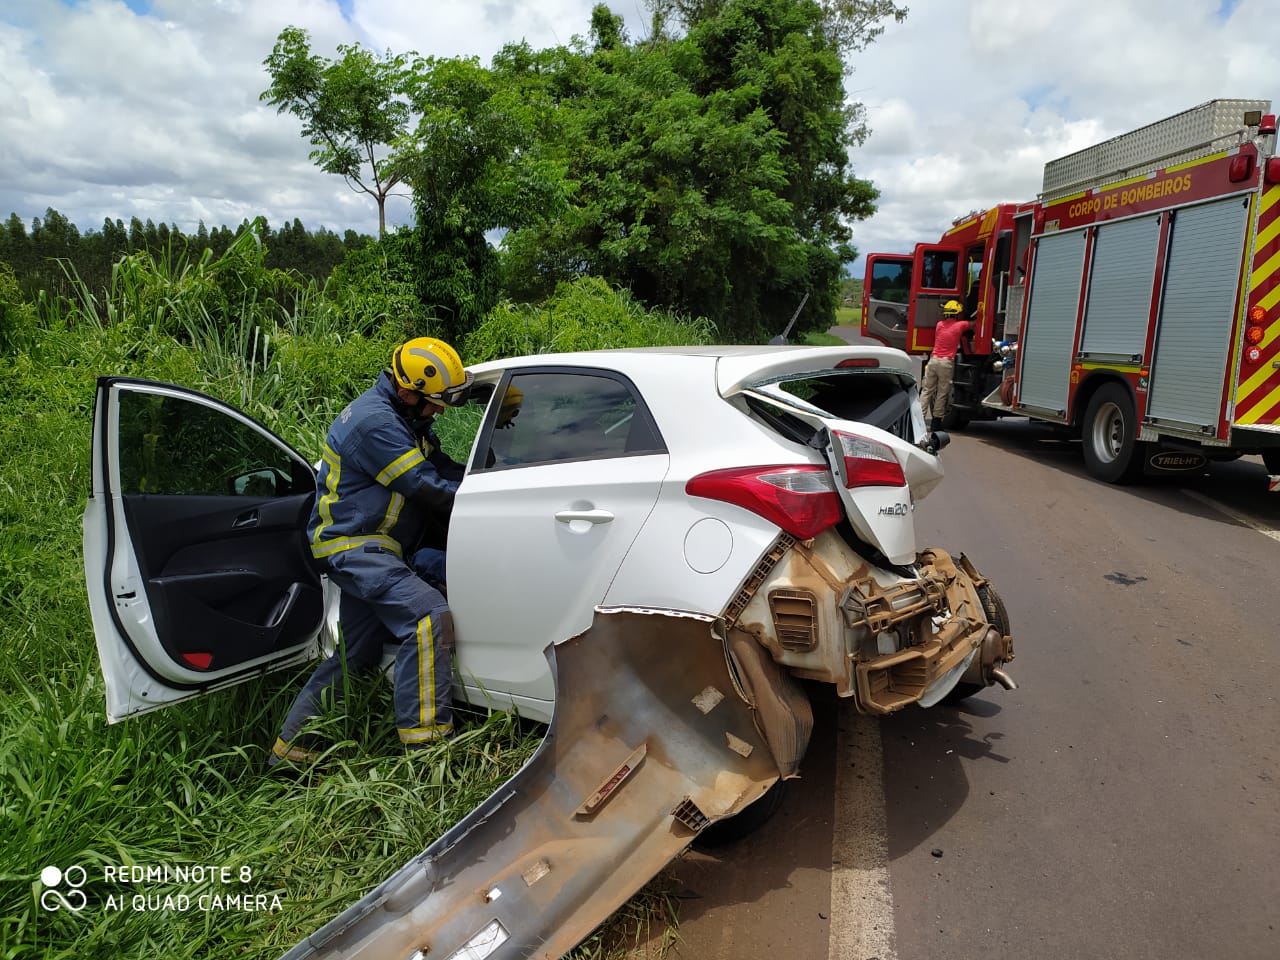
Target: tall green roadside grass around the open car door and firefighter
[{"x": 189, "y": 785}]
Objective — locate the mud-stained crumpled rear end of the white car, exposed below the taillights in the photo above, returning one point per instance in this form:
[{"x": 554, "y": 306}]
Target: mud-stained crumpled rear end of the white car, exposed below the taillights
[{"x": 883, "y": 639}]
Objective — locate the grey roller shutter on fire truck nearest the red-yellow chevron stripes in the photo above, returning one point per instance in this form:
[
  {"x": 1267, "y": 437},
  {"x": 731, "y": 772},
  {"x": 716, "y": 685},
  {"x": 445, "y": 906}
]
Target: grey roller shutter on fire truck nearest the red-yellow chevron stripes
[{"x": 1203, "y": 276}]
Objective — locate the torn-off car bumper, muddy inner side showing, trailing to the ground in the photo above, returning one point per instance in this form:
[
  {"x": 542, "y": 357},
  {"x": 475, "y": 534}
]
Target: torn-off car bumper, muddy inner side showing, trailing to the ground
[{"x": 656, "y": 735}]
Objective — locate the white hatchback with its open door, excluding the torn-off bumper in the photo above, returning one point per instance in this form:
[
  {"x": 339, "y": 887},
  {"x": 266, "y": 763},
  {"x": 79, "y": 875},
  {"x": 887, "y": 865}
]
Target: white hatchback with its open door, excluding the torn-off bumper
[{"x": 771, "y": 487}]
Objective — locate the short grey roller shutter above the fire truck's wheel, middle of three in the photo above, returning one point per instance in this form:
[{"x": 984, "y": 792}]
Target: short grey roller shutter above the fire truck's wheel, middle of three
[{"x": 1122, "y": 277}]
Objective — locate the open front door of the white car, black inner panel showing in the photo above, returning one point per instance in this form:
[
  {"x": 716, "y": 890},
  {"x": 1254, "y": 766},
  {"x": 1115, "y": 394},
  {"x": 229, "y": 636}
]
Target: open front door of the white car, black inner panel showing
[{"x": 195, "y": 547}]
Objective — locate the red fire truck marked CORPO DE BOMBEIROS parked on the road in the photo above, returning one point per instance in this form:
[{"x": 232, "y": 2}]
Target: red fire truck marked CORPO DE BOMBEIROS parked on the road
[{"x": 1136, "y": 301}]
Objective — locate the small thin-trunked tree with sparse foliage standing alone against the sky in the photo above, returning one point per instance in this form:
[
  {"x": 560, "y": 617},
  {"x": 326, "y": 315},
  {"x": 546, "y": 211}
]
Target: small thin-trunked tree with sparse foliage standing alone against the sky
[{"x": 354, "y": 109}]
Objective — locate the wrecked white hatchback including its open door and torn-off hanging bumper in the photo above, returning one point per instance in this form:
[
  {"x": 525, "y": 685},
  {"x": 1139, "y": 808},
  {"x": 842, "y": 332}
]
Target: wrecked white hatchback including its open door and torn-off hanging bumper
[{"x": 650, "y": 557}]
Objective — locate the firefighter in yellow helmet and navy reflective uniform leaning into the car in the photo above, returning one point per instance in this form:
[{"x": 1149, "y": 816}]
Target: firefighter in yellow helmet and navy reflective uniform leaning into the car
[{"x": 383, "y": 488}]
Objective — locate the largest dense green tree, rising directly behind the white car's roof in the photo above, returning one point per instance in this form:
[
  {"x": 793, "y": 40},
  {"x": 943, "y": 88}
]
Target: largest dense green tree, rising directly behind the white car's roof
[{"x": 710, "y": 172}]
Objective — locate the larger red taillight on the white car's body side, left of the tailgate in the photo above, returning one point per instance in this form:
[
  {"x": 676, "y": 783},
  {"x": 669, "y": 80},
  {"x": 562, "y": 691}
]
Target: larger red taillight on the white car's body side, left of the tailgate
[{"x": 801, "y": 500}]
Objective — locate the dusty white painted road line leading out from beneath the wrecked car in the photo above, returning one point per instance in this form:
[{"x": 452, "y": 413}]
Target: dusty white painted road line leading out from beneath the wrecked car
[{"x": 862, "y": 903}]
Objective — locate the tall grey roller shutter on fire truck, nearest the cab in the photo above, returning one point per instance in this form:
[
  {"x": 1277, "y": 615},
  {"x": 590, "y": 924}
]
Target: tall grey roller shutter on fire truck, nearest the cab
[{"x": 1050, "y": 335}]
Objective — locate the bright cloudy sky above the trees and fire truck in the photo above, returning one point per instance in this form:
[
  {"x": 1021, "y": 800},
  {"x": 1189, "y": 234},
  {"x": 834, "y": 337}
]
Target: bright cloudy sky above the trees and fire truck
[{"x": 150, "y": 108}]
